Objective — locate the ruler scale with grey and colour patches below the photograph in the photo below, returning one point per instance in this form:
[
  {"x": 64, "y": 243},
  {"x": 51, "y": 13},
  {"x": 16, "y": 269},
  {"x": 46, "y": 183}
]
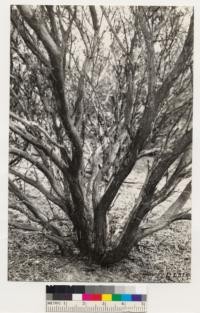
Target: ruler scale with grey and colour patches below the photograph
[{"x": 75, "y": 298}]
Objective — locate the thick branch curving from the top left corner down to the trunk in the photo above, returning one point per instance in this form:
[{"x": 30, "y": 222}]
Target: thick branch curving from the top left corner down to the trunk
[{"x": 58, "y": 78}]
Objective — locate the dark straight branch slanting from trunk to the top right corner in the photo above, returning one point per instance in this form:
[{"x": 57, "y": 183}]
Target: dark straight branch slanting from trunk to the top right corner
[{"x": 145, "y": 125}]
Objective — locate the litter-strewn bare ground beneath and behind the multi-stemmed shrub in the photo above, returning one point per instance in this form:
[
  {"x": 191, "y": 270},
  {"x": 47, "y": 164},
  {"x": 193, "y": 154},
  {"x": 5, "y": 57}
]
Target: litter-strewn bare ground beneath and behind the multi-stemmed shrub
[{"x": 163, "y": 257}]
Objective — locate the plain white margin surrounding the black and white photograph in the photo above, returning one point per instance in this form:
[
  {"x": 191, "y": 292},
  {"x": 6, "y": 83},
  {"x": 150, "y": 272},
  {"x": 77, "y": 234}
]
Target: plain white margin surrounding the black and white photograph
[{"x": 25, "y": 297}]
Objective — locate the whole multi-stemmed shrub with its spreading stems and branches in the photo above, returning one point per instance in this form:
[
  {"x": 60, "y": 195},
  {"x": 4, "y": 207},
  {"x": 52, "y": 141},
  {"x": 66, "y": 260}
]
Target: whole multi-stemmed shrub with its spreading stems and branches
[{"x": 87, "y": 213}]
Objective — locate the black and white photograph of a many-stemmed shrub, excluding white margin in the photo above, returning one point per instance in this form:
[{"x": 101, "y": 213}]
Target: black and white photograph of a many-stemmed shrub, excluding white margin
[{"x": 100, "y": 143}]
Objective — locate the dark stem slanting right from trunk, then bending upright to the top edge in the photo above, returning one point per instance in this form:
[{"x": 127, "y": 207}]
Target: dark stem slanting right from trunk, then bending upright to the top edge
[{"x": 138, "y": 140}]
